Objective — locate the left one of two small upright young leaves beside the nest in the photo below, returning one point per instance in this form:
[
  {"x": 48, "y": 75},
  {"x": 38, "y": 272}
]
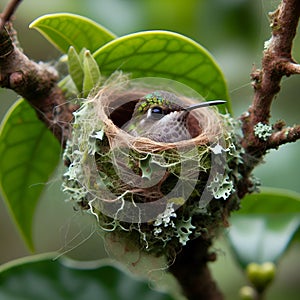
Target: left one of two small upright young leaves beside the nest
[{"x": 75, "y": 68}]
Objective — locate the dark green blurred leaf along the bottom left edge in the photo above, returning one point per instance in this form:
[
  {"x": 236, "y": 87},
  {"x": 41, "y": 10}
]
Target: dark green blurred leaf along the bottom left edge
[{"x": 44, "y": 277}]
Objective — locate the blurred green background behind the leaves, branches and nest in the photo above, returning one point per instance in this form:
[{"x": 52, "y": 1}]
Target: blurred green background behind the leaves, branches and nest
[{"x": 234, "y": 31}]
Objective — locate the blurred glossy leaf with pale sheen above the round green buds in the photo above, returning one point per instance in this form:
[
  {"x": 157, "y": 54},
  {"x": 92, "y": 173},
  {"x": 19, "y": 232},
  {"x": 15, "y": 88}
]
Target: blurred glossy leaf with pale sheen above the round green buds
[{"x": 264, "y": 227}]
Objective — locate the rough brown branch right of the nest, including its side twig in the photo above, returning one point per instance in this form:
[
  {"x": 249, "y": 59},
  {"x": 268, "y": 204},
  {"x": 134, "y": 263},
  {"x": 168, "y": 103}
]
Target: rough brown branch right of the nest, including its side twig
[{"x": 277, "y": 62}]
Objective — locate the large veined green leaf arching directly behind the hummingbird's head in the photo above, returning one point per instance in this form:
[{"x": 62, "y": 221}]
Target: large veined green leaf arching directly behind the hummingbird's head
[{"x": 168, "y": 55}]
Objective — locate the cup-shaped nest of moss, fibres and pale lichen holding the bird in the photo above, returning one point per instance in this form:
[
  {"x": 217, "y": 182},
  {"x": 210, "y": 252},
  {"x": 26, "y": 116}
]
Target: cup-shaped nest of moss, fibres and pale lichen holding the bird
[{"x": 160, "y": 195}]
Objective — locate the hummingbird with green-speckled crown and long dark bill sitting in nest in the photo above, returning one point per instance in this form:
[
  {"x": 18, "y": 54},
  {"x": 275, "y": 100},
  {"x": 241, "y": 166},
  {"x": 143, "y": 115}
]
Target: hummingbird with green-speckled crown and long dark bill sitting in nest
[{"x": 159, "y": 117}]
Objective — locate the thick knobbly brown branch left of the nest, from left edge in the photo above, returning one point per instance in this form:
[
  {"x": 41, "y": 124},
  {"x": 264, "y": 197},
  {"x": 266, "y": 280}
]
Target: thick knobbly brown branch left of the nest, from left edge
[{"x": 37, "y": 83}]
